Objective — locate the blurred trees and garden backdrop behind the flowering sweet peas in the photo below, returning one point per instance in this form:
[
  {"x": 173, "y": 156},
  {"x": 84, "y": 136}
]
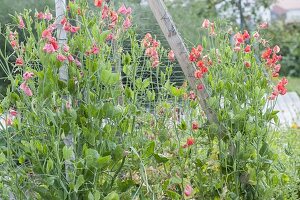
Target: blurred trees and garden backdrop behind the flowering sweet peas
[{"x": 283, "y": 17}]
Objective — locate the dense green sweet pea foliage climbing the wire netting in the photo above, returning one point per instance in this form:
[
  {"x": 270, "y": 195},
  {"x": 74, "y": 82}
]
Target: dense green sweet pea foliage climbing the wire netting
[{"x": 133, "y": 134}]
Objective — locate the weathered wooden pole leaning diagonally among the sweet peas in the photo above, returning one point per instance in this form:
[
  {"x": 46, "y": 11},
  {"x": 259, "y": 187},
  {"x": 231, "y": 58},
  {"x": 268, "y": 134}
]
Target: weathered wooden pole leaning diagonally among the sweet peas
[{"x": 175, "y": 41}]
